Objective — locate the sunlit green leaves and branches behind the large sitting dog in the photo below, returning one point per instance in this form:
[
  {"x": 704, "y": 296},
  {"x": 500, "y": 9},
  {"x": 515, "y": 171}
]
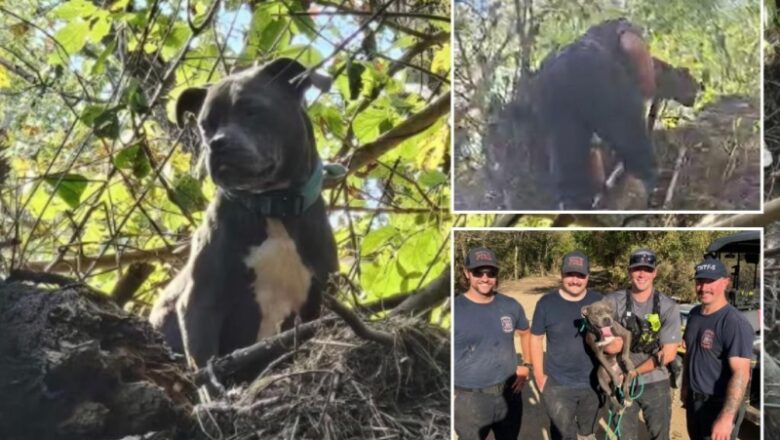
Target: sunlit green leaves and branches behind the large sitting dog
[{"x": 97, "y": 182}]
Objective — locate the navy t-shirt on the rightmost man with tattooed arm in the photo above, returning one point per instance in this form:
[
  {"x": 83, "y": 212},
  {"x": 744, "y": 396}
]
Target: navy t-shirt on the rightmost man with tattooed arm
[{"x": 710, "y": 341}]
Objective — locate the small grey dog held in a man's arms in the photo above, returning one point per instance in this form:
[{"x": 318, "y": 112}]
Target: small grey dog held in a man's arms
[{"x": 602, "y": 328}]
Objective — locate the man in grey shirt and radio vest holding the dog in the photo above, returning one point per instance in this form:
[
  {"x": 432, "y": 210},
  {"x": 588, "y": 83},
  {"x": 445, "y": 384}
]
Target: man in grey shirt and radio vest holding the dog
[{"x": 654, "y": 321}]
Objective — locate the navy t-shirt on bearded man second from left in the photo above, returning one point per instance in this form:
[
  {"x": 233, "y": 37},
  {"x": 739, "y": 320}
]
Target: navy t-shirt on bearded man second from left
[{"x": 568, "y": 360}]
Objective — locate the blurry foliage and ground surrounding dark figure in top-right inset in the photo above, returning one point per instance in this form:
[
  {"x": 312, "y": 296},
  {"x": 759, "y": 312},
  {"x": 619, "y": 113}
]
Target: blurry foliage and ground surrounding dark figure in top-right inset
[{"x": 500, "y": 45}]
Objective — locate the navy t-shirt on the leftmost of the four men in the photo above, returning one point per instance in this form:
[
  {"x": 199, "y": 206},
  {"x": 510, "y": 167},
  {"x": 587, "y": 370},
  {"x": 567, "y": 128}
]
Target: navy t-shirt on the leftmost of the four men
[{"x": 484, "y": 340}]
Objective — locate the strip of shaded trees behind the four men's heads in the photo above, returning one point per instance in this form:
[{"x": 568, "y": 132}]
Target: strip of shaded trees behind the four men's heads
[{"x": 538, "y": 253}]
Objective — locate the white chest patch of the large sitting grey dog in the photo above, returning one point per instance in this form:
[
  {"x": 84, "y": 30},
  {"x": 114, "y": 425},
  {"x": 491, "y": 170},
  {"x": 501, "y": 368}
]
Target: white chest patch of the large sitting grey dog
[{"x": 281, "y": 282}]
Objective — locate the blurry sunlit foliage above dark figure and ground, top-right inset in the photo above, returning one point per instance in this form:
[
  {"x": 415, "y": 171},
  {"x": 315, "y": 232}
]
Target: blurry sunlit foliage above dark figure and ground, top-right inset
[{"x": 499, "y": 44}]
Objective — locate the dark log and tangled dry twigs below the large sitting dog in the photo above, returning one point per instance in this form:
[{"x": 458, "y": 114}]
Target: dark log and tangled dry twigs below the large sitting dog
[{"x": 73, "y": 365}]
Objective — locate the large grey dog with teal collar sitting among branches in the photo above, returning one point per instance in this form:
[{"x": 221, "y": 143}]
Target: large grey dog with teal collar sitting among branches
[{"x": 262, "y": 257}]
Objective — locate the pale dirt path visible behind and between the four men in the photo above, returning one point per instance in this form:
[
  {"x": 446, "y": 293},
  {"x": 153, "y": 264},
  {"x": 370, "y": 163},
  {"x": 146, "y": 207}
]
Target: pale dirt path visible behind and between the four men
[{"x": 527, "y": 292}]
